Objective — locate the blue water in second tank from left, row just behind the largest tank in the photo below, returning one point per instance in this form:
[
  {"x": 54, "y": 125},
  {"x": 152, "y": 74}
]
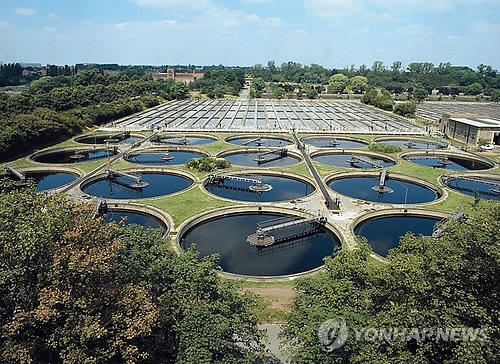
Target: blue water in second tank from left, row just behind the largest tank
[{"x": 159, "y": 185}]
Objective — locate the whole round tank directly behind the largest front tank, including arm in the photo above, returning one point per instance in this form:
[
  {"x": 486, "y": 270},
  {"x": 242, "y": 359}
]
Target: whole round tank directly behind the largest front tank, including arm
[{"x": 275, "y": 187}]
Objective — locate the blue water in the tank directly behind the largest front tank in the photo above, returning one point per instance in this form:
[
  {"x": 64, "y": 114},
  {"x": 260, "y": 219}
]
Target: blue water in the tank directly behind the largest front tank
[{"x": 283, "y": 189}]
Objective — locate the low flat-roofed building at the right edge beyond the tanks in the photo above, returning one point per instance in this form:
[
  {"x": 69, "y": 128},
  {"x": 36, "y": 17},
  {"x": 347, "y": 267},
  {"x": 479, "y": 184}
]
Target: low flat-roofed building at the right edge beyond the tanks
[{"x": 469, "y": 128}]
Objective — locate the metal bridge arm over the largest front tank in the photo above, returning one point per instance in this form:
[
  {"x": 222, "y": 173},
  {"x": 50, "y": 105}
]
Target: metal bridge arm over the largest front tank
[{"x": 262, "y": 237}]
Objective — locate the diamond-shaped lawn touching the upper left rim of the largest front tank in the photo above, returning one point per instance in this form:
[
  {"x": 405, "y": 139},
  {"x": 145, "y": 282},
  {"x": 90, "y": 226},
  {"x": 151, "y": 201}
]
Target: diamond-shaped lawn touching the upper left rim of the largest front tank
[{"x": 187, "y": 204}]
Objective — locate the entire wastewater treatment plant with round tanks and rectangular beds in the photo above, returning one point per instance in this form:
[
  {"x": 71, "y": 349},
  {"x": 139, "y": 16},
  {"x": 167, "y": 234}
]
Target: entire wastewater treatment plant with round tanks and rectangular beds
[{"x": 272, "y": 187}]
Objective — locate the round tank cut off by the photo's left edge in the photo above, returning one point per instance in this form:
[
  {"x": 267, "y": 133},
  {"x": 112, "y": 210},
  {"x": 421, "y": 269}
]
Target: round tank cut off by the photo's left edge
[{"x": 45, "y": 179}]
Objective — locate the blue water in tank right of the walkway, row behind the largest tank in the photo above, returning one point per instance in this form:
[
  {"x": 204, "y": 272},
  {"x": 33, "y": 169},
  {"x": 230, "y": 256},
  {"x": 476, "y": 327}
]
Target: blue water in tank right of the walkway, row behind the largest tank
[{"x": 361, "y": 188}]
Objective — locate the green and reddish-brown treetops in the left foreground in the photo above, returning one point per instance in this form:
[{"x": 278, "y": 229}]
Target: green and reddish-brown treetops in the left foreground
[{"x": 77, "y": 290}]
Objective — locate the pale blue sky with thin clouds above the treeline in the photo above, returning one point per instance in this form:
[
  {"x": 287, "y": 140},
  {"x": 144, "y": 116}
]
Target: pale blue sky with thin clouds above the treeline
[{"x": 332, "y": 33}]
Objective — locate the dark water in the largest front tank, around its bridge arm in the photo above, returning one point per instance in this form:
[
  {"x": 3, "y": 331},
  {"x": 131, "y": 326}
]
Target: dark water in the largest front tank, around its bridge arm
[{"x": 227, "y": 237}]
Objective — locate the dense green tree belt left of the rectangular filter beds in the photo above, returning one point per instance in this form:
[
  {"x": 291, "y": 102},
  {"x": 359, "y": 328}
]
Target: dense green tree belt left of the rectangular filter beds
[{"x": 61, "y": 106}]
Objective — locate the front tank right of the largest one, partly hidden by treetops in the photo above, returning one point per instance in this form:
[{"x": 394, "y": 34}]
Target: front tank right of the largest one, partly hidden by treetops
[{"x": 384, "y": 230}]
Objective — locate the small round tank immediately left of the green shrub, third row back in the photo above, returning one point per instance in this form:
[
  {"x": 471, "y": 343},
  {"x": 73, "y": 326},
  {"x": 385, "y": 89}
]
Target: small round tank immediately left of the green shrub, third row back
[{"x": 162, "y": 156}]
